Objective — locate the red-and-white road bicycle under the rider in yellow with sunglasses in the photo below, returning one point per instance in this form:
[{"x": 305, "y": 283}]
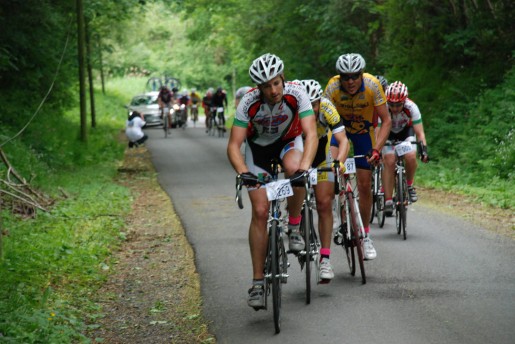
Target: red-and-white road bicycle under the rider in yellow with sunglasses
[{"x": 351, "y": 233}]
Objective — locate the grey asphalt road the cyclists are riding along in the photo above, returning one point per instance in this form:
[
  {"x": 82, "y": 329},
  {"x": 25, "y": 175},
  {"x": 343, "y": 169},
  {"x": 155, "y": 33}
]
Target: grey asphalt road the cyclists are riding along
[{"x": 449, "y": 282}]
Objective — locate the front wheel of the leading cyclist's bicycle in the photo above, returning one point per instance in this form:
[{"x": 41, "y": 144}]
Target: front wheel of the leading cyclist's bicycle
[{"x": 276, "y": 275}]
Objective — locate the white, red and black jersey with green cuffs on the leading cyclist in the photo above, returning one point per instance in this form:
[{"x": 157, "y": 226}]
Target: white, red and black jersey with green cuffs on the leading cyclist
[{"x": 266, "y": 123}]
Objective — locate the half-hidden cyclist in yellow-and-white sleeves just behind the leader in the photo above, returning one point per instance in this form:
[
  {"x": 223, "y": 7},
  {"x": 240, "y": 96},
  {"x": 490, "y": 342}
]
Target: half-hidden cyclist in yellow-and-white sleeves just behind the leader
[{"x": 329, "y": 124}]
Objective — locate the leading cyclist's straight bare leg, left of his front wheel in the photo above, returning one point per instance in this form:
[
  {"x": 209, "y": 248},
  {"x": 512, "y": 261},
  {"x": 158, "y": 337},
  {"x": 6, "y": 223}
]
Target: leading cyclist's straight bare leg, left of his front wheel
[{"x": 258, "y": 235}]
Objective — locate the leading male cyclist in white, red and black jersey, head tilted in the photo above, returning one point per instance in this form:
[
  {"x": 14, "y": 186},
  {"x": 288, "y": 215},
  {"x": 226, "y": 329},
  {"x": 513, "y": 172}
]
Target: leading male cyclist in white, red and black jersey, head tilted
[{"x": 271, "y": 119}]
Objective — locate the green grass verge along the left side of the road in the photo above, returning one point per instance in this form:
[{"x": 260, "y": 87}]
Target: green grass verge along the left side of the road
[{"x": 53, "y": 264}]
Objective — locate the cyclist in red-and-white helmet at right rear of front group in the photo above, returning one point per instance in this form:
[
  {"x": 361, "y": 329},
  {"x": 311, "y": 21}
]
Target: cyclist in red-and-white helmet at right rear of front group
[{"x": 406, "y": 123}]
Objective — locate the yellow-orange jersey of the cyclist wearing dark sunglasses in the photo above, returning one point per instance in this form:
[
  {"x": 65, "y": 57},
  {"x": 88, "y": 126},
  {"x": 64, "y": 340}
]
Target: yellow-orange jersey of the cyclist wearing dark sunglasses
[{"x": 357, "y": 111}]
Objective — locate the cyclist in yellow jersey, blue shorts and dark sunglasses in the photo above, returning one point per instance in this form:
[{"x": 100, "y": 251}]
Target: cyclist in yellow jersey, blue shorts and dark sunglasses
[{"x": 359, "y": 98}]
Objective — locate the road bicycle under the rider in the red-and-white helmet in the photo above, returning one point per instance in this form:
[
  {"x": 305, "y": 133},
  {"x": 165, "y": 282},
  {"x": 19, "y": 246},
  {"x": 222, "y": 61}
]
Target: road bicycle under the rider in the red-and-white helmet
[{"x": 401, "y": 186}]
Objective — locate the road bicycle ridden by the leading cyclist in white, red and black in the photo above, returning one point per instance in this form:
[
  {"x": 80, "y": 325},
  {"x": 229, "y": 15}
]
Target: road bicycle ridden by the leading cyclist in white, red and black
[{"x": 276, "y": 262}]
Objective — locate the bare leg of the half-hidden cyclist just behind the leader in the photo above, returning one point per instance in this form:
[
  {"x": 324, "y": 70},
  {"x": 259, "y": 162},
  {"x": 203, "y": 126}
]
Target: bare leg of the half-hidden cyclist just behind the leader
[{"x": 324, "y": 194}]
